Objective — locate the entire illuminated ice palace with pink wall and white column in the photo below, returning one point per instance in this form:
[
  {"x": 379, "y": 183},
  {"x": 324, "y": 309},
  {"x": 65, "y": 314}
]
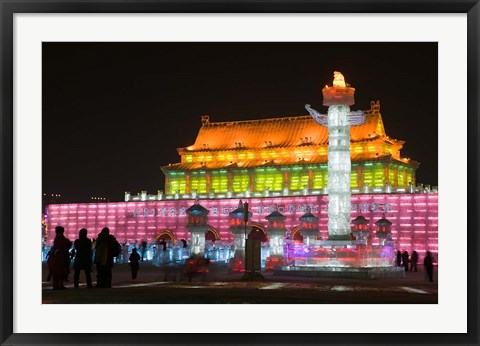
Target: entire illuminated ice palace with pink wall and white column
[{"x": 288, "y": 173}]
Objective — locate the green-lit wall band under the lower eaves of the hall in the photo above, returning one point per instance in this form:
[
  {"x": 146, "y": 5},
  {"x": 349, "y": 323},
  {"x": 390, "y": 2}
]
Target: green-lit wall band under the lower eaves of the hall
[{"x": 374, "y": 174}]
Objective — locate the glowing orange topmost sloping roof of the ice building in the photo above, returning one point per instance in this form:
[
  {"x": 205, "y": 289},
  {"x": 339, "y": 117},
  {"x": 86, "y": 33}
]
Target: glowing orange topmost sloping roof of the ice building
[{"x": 278, "y": 132}]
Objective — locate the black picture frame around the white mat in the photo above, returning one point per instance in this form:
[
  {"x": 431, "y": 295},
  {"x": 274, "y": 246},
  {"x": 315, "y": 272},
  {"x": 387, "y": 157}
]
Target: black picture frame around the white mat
[{"x": 10, "y": 7}]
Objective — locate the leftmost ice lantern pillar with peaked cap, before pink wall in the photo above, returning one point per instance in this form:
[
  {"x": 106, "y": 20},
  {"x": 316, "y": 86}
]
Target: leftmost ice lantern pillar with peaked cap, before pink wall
[{"x": 197, "y": 217}]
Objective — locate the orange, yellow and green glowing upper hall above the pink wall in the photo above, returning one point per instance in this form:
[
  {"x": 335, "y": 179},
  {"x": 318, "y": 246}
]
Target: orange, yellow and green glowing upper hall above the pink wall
[{"x": 269, "y": 143}]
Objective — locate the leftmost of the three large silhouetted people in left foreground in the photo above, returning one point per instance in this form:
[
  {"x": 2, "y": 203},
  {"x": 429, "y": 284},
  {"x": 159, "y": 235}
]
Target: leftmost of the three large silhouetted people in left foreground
[{"x": 57, "y": 260}]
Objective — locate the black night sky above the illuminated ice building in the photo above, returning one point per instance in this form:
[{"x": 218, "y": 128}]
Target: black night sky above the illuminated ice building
[{"x": 113, "y": 113}]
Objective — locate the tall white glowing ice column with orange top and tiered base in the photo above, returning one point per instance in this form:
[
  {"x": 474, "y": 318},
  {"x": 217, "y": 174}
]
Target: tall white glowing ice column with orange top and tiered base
[{"x": 341, "y": 254}]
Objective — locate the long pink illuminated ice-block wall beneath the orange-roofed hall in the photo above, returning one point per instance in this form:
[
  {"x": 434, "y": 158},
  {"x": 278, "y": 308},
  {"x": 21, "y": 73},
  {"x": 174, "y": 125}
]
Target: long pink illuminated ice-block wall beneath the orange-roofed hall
[{"x": 414, "y": 217}]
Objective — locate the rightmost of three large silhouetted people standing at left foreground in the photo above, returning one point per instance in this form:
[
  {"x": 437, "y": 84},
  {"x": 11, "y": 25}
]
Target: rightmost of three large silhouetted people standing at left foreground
[{"x": 106, "y": 248}]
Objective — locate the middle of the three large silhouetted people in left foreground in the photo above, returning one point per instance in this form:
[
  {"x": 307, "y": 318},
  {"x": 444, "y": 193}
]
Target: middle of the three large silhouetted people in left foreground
[{"x": 83, "y": 258}]
